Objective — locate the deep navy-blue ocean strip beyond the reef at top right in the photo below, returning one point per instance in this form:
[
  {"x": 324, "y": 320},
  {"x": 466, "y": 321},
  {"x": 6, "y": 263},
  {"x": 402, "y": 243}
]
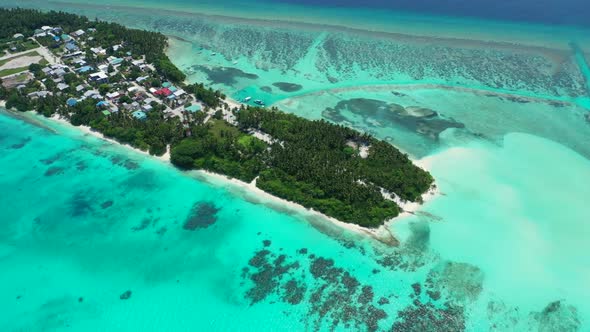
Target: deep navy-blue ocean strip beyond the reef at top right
[{"x": 569, "y": 12}]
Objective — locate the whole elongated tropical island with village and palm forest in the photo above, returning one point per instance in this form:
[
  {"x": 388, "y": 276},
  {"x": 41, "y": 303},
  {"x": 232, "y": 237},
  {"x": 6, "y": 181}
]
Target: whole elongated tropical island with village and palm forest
[{"x": 121, "y": 83}]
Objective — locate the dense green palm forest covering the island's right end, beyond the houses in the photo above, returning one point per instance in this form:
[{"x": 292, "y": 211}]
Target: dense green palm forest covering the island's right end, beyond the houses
[{"x": 314, "y": 163}]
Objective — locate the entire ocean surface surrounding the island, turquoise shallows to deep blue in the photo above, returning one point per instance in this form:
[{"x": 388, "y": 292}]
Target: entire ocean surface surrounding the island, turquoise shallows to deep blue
[{"x": 99, "y": 237}]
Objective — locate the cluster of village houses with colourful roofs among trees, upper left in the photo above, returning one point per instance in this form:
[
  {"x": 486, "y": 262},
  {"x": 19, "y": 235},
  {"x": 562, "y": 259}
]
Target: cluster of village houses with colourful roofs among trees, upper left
[{"x": 116, "y": 79}]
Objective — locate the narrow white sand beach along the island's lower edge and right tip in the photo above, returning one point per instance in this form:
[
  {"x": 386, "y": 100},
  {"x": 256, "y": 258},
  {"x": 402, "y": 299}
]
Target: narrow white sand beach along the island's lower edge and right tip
[{"x": 250, "y": 192}]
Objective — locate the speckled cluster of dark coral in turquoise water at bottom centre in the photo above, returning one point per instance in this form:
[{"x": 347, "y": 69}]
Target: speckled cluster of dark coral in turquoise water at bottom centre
[{"x": 335, "y": 297}]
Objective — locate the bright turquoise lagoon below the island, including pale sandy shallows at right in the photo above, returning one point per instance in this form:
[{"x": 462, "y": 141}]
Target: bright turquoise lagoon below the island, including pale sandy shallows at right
[{"x": 86, "y": 221}]
